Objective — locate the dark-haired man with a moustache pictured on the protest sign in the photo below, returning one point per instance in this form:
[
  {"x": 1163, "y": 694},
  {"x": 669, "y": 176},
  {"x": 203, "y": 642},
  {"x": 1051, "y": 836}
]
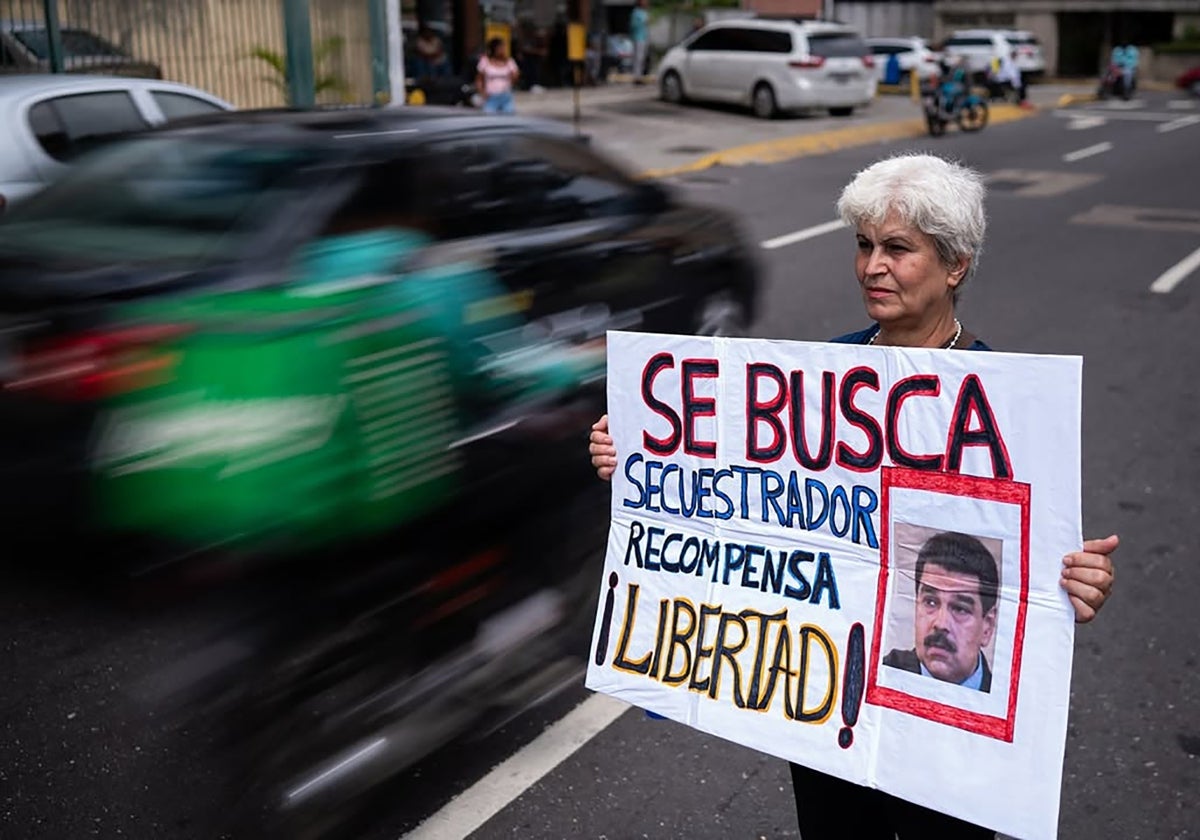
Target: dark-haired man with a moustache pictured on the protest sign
[{"x": 957, "y": 584}]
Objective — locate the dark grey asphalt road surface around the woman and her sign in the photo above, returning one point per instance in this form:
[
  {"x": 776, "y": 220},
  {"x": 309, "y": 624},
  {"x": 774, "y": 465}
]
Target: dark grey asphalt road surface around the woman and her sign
[{"x": 1073, "y": 249}]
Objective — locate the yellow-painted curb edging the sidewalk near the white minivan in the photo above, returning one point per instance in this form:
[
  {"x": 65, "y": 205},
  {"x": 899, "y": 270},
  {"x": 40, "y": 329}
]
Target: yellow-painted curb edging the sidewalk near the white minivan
[{"x": 803, "y": 146}]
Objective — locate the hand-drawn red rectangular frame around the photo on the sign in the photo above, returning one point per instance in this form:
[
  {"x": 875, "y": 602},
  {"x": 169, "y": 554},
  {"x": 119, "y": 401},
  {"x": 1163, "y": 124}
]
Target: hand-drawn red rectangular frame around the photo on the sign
[{"x": 969, "y": 487}]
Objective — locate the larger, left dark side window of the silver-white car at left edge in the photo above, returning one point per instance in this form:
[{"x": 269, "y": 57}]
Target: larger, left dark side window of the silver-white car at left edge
[{"x": 68, "y": 127}]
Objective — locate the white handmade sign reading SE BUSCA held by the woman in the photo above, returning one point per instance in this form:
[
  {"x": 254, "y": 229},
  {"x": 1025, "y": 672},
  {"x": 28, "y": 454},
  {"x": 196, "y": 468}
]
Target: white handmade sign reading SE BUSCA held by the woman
[{"x": 850, "y": 557}]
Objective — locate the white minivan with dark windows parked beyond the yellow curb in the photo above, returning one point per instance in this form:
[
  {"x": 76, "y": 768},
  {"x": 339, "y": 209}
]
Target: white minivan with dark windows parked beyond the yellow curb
[{"x": 772, "y": 67}]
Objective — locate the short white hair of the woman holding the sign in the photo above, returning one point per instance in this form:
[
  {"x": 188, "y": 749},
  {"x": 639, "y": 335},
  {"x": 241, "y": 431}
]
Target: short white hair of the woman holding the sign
[{"x": 941, "y": 199}]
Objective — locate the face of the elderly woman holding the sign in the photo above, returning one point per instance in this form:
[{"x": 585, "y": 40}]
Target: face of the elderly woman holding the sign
[{"x": 904, "y": 283}]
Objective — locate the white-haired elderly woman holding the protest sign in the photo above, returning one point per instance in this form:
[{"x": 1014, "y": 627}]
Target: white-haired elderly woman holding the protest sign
[{"x": 920, "y": 226}]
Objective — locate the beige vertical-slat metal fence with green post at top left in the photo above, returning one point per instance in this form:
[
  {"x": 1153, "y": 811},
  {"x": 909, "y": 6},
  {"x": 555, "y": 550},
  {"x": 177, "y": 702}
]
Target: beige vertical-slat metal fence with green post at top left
[{"x": 237, "y": 50}]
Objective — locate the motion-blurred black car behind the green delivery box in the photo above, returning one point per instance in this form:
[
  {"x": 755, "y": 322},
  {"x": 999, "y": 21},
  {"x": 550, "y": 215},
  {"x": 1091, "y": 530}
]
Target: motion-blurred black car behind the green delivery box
[{"x": 226, "y": 206}]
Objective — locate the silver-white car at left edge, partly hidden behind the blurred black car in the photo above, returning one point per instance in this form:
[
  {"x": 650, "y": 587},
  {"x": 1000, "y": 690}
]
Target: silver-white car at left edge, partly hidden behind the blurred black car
[{"x": 49, "y": 121}]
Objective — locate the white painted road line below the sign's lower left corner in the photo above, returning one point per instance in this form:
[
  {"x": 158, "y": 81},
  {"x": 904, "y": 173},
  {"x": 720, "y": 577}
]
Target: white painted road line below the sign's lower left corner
[{"x": 484, "y": 800}]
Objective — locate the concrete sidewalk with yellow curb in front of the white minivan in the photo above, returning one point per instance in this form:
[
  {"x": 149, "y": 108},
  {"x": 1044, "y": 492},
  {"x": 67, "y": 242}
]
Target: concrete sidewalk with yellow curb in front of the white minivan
[{"x": 659, "y": 140}]
